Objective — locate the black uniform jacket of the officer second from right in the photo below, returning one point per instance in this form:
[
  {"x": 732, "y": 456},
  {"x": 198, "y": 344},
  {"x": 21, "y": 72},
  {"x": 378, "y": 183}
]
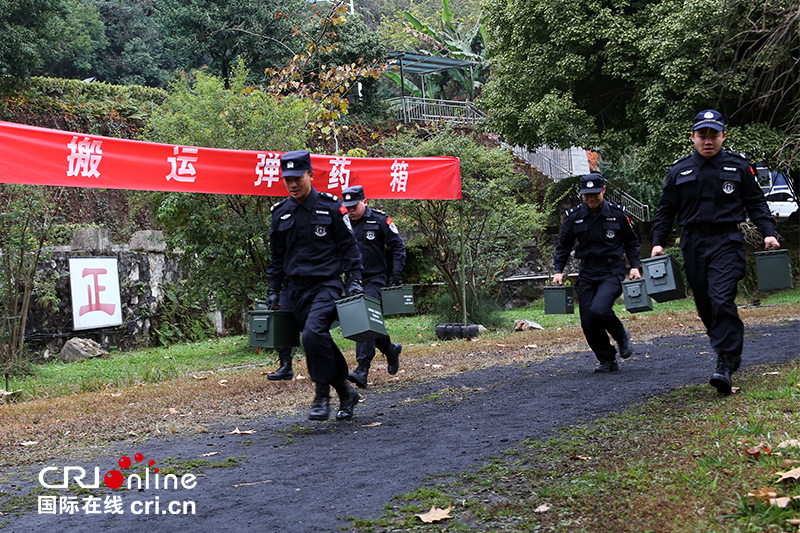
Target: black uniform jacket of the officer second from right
[{"x": 607, "y": 233}]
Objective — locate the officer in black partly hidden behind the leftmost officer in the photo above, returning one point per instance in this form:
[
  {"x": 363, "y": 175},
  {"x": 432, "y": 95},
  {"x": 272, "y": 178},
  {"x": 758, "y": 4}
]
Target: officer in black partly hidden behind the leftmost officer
[{"x": 375, "y": 232}]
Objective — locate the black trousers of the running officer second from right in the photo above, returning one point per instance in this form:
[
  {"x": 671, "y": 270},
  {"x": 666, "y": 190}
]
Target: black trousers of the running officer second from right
[{"x": 599, "y": 285}]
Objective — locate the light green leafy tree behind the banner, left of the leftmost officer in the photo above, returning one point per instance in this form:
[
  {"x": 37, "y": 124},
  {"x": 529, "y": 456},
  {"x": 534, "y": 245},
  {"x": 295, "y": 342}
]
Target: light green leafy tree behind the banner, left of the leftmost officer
[{"x": 224, "y": 237}]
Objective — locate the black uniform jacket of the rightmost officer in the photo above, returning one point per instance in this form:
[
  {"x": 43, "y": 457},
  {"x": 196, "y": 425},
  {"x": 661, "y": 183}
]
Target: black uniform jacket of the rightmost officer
[{"x": 705, "y": 193}]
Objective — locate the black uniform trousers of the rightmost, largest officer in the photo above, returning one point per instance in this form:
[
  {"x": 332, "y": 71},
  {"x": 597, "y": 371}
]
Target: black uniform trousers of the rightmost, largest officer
[{"x": 714, "y": 266}]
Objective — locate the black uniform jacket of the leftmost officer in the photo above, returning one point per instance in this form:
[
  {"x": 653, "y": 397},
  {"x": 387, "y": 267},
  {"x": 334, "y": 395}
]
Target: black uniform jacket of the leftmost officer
[{"x": 314, "y": 238}]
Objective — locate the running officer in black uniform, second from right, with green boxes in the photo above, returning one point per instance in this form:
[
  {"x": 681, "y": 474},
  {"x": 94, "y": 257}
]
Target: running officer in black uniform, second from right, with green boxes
[{"x": 604, "y": 237}]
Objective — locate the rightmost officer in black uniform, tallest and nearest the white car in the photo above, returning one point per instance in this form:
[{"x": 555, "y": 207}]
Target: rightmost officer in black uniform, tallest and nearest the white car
[{"x": 710, "y": 192}]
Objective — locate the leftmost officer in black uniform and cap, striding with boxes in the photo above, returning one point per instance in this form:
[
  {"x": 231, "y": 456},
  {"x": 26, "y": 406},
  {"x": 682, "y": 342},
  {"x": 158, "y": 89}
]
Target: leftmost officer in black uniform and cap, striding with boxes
[{"x": 312, "y": 244}]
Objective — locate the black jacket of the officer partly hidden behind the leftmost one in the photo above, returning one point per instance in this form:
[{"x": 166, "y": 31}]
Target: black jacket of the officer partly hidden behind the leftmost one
[{"x": 375, "y": 231}]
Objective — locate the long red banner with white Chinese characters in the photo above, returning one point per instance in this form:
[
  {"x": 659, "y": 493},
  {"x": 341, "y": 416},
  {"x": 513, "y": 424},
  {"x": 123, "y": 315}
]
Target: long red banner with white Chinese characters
[{"x": 40, "y": 156}]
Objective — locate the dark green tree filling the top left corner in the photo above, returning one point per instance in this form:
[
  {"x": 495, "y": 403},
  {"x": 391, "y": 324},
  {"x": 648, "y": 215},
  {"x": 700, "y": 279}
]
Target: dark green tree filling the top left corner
[{"x": 27, "y": 29}]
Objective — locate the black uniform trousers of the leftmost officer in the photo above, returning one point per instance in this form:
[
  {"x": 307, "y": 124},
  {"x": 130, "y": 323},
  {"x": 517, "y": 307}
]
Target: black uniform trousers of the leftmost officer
[{"x": 315, "y": 310}]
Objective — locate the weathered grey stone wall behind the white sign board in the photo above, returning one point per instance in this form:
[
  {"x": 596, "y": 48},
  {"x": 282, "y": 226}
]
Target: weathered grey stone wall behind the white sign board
[{"x": 145, "y": 269}]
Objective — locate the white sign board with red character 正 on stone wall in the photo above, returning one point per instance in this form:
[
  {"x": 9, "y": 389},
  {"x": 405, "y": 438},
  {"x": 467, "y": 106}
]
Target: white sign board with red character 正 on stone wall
[{"x": 95, "y": 292}]
